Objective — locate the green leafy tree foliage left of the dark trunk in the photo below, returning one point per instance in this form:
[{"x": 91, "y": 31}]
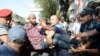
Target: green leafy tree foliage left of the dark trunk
[{"x": 49, "y": 7}]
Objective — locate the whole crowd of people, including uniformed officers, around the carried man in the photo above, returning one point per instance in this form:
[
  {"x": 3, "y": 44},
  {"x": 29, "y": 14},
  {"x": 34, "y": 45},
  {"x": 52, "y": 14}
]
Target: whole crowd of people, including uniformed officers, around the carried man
[{"x": 55, "y": 37}]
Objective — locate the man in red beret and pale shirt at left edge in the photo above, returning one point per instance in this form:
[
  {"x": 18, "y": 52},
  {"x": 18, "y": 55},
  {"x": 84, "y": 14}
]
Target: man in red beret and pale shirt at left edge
[{"x": 5, "y": 21}]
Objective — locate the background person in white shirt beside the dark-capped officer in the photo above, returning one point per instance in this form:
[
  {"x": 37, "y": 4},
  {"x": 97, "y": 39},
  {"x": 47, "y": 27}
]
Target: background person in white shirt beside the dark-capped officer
[{"x": 74, "y": 26}]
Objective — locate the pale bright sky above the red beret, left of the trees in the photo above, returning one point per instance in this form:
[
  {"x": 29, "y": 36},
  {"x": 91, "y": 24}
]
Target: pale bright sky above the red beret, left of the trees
[{"x": 20, "y": 7}]
